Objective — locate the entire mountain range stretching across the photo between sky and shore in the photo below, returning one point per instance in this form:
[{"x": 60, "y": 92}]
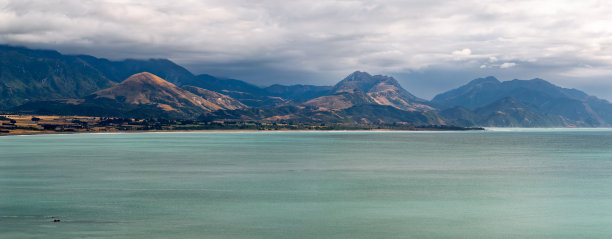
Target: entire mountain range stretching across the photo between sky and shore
[{"x": 48, "y": 82}]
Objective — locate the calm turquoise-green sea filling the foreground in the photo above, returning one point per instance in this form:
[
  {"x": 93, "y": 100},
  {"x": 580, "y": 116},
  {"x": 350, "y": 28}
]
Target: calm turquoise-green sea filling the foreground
[{"x": 494, "y": 184}]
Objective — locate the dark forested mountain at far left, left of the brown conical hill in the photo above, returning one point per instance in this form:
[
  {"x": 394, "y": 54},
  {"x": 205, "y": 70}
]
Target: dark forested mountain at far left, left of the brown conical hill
[{"x": 29, "y": 75}]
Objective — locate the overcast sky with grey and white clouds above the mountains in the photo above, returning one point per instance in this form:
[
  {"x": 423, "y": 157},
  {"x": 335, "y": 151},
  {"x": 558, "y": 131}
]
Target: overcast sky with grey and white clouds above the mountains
[{"x": 428, "y": 46}]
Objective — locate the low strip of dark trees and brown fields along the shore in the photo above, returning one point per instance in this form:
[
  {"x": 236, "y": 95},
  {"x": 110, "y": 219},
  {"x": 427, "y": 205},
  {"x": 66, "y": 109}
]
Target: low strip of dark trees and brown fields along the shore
[{"x": 24, "y": 124}]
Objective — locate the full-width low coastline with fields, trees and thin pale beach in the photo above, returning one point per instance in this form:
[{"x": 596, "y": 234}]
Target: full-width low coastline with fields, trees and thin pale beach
[{"x": 25, "y": 125}]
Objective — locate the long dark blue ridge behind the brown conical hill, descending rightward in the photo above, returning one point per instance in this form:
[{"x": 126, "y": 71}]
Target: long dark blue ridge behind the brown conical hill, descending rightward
[{"x": 28, "y": 75}]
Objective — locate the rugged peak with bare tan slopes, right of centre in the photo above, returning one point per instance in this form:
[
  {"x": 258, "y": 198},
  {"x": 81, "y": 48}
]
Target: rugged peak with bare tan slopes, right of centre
[{"x": 362, "y": 88}]
